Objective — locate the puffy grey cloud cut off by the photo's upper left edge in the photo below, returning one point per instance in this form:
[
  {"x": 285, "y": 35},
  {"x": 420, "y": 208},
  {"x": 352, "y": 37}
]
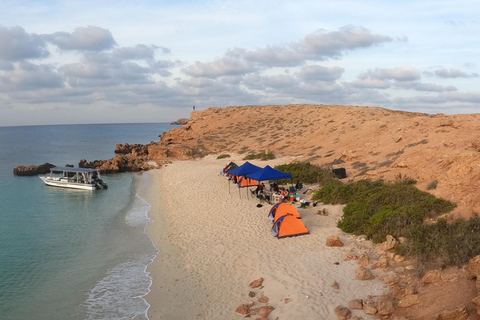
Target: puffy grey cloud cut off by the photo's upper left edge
[{"x": 18, "y": 45}]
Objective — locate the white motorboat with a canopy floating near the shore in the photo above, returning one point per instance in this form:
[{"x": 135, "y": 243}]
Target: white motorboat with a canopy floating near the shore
[{"x": 76, "y": 178}]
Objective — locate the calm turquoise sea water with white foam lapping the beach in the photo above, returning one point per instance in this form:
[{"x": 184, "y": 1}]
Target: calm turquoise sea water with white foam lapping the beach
[{"x": 72, "y": 254}]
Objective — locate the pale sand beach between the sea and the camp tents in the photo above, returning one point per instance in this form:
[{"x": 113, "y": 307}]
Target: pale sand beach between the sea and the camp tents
[{"x": 213, "y": 242}]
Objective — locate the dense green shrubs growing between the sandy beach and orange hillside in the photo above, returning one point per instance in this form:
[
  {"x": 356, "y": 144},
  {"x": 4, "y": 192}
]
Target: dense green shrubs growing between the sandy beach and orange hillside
[{"x": 398, "y": 208}]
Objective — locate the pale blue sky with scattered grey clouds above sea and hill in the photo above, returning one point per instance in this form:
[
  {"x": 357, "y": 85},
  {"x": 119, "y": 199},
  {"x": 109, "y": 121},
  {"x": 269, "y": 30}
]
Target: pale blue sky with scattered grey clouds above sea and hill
[{"x": 102, "y": 61}]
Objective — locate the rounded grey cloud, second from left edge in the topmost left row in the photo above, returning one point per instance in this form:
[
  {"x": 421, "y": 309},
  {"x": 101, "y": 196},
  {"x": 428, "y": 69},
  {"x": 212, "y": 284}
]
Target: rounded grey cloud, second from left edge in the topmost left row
[{"x": 89, "y": 38}]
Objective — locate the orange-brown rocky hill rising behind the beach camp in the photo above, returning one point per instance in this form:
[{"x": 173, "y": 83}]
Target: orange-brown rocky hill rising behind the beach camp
[{"x": 442, "y": 152}]
